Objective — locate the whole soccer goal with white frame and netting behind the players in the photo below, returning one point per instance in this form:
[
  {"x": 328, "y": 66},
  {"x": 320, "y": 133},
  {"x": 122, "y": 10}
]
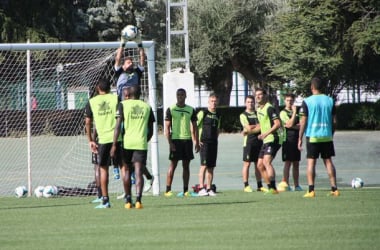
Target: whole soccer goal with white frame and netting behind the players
[{"x": 44, "y": 88}]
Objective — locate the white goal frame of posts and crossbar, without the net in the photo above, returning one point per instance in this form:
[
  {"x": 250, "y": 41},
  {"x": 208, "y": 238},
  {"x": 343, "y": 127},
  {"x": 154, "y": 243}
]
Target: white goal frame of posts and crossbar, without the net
[{"x": 149, "y": 49}]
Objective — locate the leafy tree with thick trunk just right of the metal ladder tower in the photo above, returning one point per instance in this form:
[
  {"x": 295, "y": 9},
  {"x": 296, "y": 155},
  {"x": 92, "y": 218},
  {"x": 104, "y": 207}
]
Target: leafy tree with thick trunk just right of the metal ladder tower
[{"x": 224, "y": 36}]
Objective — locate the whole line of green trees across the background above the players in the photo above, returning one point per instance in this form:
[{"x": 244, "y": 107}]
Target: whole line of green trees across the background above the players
[{"x": 276, "y": 44}]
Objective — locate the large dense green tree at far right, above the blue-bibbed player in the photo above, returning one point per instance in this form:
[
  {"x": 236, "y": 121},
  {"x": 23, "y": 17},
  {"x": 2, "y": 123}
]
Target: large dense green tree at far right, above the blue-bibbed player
[{"x": 323, "y": 38}]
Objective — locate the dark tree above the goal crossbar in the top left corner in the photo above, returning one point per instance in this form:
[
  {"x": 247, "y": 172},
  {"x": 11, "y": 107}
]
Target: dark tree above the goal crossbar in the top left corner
[{"x": 42, "y": 21}]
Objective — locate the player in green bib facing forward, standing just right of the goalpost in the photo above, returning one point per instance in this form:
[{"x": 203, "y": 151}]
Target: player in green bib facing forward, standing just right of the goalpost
[{"x": 180, "y": 131}]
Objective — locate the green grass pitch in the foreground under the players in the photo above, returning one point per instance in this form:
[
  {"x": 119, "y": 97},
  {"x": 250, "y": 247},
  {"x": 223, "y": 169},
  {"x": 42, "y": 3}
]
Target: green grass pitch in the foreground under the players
[{"x": 231, "y": 220}]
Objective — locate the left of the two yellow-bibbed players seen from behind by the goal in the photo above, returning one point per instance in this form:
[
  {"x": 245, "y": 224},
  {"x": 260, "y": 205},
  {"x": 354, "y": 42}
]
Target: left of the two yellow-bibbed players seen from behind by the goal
[{"x": 101, "y": 110}]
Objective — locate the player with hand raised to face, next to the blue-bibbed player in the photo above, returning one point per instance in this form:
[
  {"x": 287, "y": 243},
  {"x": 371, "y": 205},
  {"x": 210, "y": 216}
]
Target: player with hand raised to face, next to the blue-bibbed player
[{"x": 290, "y": 152}]
